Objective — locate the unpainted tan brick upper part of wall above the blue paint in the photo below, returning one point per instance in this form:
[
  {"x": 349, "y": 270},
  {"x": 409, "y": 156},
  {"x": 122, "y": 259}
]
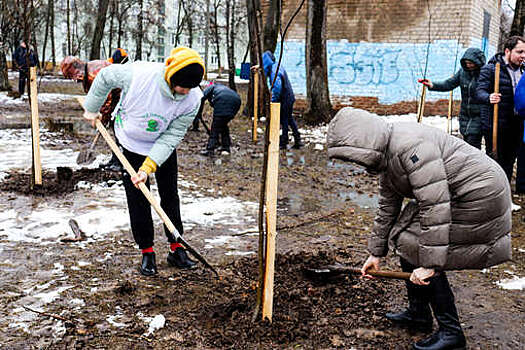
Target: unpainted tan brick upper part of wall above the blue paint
[{"x": 399, "y": 20}]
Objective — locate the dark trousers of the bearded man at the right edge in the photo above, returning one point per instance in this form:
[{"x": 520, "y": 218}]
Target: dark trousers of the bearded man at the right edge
[{"x": 509, "y": 141}]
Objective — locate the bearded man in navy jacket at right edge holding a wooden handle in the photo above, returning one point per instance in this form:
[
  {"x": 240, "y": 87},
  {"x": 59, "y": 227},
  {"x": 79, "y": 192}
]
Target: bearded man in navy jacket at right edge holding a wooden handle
[{"x": 510, "y": 127}]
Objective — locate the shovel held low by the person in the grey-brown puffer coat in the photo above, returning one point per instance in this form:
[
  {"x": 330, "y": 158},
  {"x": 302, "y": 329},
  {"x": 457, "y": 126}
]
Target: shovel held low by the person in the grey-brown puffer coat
[{"x": 329, "y": 272}]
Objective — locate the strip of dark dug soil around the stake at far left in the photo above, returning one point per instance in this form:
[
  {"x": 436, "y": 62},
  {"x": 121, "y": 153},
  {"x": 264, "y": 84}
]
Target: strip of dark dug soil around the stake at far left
[{"x": 55, "y": 183}]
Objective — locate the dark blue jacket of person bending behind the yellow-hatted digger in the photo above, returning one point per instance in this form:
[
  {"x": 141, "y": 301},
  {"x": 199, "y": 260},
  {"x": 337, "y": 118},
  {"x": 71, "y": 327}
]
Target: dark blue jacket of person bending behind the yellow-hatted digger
[{"x": 225, "y": 101}]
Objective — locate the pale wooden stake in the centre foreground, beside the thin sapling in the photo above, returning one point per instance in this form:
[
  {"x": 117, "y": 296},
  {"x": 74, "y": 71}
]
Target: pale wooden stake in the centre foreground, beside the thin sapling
[{"x": 272, "y": 177}]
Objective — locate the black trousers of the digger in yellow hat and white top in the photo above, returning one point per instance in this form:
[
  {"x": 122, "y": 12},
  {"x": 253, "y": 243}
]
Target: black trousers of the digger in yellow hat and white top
[{"x": 139, "y": 207}]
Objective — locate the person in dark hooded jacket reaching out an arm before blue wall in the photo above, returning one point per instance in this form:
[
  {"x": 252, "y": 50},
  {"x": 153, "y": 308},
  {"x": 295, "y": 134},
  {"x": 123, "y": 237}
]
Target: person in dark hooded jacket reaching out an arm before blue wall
[{"x": 466, "y": 78}]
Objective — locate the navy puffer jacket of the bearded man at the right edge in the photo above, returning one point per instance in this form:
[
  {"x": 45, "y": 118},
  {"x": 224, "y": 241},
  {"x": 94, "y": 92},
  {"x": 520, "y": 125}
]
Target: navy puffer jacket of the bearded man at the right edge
[{"x": 506, "y": 117}]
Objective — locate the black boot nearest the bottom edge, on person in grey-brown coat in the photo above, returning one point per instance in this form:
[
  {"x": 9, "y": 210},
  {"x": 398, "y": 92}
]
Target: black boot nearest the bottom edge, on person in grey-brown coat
[{"x": 450, "y": 335}]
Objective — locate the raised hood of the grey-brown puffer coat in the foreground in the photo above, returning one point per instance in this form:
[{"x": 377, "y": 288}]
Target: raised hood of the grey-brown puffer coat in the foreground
[{"x": 360, "y": 137}]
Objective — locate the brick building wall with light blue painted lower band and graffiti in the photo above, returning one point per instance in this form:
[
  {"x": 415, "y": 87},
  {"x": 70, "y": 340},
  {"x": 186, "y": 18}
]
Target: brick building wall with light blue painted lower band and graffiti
[{"x": 378, "y": 48}]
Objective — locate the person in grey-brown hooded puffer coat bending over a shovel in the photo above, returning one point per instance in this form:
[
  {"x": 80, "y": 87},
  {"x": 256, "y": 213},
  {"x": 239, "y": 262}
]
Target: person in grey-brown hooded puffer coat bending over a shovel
[{"x": 459, "y": 216}]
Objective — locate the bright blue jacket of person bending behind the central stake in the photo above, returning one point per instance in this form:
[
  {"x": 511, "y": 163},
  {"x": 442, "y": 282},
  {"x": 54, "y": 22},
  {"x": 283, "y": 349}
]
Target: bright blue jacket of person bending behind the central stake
[{"x": 282, "y": 90}]
